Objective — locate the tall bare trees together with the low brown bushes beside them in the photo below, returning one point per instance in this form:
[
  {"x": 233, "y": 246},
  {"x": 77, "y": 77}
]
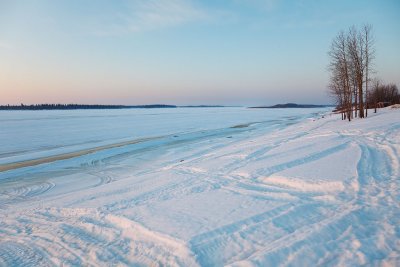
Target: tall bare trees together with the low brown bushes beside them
[{"x": 352, "y": 55}]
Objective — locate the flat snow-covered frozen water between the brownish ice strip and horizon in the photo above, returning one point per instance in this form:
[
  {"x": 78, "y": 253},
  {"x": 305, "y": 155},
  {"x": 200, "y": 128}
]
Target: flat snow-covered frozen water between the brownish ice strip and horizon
[{"x": 33, "y": 134}]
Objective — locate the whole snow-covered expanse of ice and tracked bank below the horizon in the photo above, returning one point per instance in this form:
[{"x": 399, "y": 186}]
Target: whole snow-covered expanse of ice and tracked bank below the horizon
[{"x": 202, "y": 187}]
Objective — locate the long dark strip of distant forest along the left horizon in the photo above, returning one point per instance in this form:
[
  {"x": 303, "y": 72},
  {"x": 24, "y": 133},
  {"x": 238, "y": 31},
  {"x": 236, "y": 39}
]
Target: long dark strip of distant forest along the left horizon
[{"x": 77, "y": 106}]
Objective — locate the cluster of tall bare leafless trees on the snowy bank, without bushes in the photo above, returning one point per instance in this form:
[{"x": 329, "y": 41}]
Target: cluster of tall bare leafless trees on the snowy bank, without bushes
[{"x": 351, "y": 57}]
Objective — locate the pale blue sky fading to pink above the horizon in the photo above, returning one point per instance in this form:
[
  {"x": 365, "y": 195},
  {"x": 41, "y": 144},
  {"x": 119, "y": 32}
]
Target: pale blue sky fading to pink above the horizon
[{"x": 184, "y": 52}]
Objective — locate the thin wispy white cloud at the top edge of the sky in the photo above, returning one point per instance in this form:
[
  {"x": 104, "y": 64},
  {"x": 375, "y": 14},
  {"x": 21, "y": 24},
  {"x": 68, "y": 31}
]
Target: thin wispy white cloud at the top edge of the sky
[{"x": 142, "y": 15}]
